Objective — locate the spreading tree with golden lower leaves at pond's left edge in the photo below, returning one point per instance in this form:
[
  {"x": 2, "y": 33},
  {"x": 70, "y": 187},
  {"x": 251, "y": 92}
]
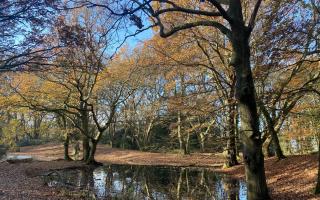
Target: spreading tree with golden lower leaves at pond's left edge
[{"x": 75, "y": 76}]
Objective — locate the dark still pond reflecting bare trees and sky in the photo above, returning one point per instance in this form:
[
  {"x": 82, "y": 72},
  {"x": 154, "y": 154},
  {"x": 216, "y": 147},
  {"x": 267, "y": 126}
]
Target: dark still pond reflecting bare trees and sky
[{"x": 149, "y": 182}]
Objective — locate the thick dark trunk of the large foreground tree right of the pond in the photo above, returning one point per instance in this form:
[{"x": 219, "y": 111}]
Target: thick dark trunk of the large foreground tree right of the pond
[{"x": 245, "y": 95}]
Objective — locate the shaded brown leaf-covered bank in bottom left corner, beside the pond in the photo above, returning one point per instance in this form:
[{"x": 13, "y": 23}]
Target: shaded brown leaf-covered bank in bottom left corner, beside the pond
[{"x": 20, "y": 181}]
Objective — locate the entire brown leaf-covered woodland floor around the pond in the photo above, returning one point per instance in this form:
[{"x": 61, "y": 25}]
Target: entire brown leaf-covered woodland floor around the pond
[{"x": 292, "y": 178}]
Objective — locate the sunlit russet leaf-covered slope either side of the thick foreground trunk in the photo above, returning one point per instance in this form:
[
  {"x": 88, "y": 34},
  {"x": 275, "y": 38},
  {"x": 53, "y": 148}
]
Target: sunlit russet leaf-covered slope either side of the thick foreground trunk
[{"x": 291, "y": 178}]
